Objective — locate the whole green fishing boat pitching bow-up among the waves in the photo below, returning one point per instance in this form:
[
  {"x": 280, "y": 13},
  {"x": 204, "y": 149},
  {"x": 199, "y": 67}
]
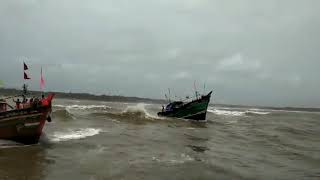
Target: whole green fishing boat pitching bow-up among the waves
[{"x": 194, "y": 110}]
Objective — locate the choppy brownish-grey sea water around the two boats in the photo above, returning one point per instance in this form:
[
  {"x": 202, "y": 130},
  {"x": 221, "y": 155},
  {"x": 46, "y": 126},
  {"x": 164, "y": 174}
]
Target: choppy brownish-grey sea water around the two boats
[{"x": 93, "y": 140}]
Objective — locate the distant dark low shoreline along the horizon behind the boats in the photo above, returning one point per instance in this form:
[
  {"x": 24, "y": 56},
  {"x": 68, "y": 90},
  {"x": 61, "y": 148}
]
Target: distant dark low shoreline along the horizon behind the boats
[{"x": 114, "y": 98}]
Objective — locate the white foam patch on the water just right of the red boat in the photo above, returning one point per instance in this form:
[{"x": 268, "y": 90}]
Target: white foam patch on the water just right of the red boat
[{"x": 72, "y": 134}]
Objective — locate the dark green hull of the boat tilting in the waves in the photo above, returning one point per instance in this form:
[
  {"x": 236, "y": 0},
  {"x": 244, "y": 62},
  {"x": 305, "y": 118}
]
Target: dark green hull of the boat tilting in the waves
[{"x": 195, "y": 110}]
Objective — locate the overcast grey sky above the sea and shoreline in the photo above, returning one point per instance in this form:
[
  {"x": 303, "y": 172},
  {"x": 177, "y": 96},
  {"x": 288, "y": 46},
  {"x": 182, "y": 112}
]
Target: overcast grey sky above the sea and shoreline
[{"x": 248, "y": 51}]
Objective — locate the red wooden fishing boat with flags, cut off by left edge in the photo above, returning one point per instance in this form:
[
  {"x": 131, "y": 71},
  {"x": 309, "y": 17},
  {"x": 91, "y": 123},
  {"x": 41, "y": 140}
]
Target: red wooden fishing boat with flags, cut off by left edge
[{"x": 24, "y": 122}]
